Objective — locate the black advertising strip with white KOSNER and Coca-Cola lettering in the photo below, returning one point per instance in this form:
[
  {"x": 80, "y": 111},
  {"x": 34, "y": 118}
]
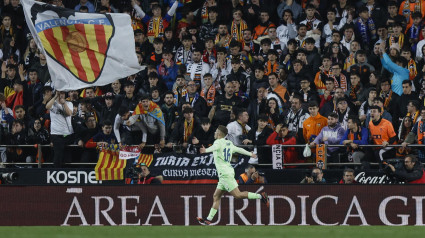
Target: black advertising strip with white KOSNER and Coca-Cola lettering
[{"x": 87, "y": 176}]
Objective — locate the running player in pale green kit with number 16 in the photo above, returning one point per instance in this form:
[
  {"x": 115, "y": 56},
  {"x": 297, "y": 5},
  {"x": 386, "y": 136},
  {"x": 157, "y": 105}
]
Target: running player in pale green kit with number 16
[{"x": 222, "y": 150}]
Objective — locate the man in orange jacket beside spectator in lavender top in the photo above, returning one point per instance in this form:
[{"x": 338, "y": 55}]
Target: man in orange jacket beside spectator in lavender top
[{"x": 314, "y": 124}]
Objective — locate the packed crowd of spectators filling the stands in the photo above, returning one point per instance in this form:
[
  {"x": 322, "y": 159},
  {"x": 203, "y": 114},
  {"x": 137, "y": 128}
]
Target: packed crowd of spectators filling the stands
[{"x": 333, "y": 72}]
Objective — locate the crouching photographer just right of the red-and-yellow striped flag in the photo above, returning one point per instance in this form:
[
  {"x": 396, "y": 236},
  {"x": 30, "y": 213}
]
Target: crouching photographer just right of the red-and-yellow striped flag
[{"x": 140, "y": 174}]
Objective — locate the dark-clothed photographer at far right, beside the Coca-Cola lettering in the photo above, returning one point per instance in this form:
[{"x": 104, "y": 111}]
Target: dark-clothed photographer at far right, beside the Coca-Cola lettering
[{"x": 411, "y": 172}]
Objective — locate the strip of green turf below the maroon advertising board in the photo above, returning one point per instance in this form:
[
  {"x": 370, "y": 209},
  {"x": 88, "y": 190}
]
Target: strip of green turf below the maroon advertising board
[{"x": 214, "y": 231}]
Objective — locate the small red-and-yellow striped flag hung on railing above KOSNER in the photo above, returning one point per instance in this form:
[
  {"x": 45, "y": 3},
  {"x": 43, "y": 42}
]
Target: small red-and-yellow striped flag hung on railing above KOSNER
[{"x": 109, "y": 166}]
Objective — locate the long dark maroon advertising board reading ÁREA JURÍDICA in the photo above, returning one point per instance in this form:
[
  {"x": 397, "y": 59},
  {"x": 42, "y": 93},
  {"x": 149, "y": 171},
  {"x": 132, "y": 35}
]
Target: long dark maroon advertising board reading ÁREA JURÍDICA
[{"x": 329, "y": 205}]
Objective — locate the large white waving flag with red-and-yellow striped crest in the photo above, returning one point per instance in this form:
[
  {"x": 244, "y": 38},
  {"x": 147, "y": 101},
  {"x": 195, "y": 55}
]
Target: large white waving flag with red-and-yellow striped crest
[{"x": 82, "y": 49}]
